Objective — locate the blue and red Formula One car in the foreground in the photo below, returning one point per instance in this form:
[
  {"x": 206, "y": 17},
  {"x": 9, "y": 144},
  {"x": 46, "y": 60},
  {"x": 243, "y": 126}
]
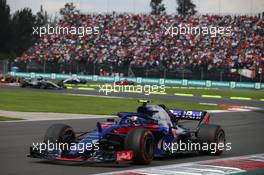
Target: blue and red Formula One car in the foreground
[{"x": 137, "y": 137}]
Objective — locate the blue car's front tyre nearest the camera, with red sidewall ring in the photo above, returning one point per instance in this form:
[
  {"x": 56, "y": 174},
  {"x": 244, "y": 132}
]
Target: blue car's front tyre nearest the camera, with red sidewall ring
[{"x": 142, "y": 143}]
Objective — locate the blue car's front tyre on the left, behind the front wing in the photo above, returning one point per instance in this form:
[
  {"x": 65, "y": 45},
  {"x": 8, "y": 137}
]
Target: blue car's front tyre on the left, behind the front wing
[{"x": 59, "y": 133}]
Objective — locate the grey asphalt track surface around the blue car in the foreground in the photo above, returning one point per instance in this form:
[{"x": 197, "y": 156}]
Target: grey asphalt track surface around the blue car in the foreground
[{"x": 243, "y": 129}]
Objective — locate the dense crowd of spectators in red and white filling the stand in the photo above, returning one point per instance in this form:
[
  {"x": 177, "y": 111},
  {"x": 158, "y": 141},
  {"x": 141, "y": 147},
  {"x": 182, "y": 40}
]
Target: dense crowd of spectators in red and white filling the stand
[{"x": 141, "y": 40}]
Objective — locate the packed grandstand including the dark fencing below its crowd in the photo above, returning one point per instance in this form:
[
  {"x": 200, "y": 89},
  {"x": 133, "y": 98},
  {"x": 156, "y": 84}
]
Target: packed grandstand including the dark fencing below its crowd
[{"x": 136, "y": 45}]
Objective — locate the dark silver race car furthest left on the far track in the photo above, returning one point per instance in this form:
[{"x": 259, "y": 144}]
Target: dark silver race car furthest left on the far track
[{"x": 40, "y": 83}]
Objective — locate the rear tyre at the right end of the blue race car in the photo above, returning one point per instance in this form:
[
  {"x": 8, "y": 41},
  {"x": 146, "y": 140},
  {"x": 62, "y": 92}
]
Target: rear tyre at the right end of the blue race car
[{"x": 213, "y": 136}]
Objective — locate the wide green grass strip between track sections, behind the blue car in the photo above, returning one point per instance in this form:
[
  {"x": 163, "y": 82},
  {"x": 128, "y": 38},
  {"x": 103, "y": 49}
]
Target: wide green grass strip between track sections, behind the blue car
[{"x": 28, "y": 101}]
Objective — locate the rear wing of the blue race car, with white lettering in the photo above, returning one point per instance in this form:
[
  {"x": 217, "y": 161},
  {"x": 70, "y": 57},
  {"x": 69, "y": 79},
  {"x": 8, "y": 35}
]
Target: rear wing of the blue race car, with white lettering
[{"x": 201, "y": 116}]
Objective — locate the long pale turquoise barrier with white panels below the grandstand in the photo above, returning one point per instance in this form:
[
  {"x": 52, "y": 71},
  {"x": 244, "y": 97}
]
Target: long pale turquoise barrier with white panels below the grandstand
[{"x": 148, "y": 81}]
